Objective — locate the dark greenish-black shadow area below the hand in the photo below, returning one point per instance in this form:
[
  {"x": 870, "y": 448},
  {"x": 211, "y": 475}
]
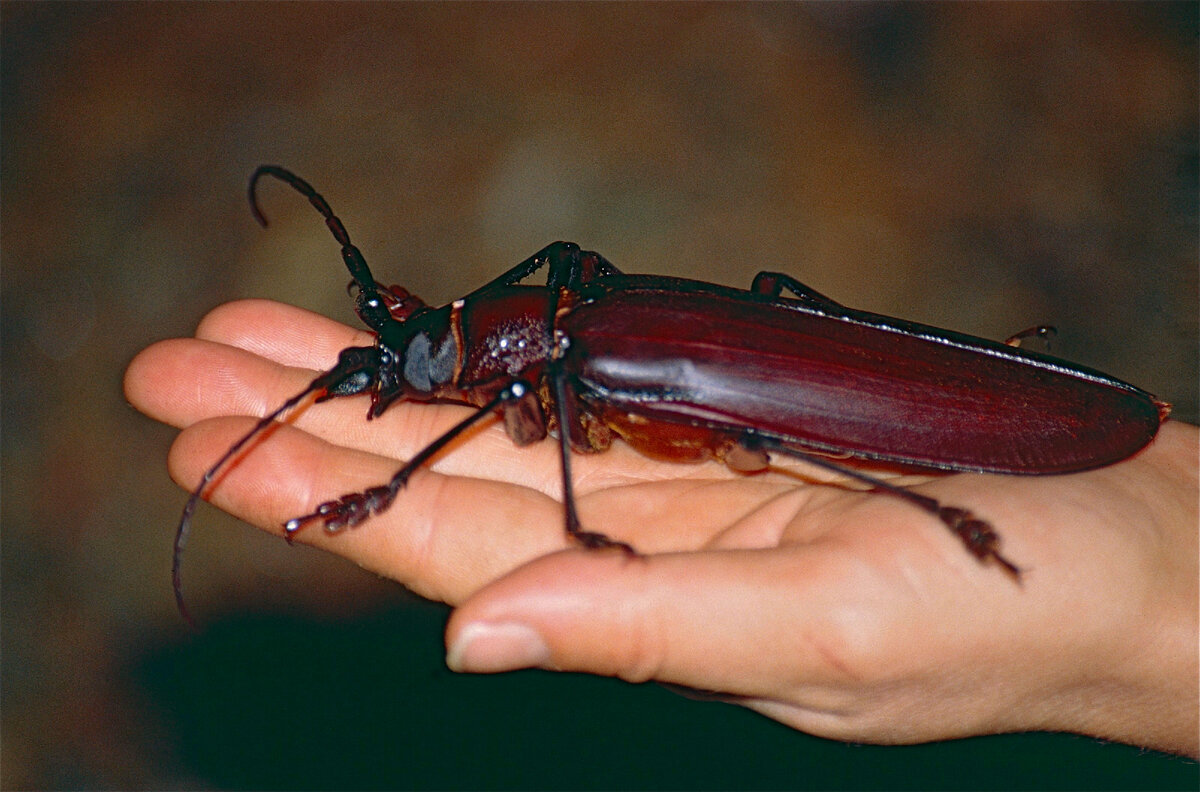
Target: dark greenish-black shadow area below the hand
[{"x": 275, "y": 703}]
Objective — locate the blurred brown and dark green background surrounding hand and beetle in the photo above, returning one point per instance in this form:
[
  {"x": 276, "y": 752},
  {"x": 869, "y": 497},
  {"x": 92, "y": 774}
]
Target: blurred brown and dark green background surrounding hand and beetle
[{"x": 981, "y": 167}]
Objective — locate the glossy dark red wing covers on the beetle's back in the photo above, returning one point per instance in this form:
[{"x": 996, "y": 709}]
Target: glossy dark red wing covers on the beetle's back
[{"x": 663, "y": 356}]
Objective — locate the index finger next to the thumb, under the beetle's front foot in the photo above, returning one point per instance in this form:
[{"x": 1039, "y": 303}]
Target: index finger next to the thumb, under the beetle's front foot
[{"x": 443, "y": 537}]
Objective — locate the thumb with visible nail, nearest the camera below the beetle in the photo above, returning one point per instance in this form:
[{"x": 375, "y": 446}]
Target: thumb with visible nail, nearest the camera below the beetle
[{"x": 718, "y": 620}]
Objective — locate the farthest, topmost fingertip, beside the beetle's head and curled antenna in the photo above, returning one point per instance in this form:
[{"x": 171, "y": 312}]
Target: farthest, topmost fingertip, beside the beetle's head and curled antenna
[{"x": 281, "y": 333}]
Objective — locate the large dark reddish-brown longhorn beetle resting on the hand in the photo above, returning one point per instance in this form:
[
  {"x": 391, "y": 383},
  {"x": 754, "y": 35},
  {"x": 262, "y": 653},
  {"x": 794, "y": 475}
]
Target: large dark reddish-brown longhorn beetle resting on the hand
[{"x": 689, "y": 370}]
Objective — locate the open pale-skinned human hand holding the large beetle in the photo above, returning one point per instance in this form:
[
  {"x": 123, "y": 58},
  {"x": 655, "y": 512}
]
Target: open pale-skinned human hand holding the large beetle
[{"x": 847, "y": 615}]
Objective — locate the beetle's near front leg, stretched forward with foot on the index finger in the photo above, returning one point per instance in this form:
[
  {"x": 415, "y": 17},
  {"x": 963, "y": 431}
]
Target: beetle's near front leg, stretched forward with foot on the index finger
[{"x": 352, "y": 509}]
